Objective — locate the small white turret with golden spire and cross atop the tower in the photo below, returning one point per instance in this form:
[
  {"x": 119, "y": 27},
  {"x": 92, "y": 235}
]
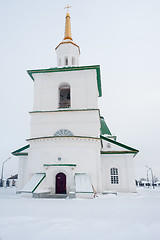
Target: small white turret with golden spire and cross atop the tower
[{"x": 67, "y": 51}]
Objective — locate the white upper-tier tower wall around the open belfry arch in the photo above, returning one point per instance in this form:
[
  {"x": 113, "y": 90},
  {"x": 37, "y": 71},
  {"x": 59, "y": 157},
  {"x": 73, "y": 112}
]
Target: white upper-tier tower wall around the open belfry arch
[{"x": 83, "y": 84}]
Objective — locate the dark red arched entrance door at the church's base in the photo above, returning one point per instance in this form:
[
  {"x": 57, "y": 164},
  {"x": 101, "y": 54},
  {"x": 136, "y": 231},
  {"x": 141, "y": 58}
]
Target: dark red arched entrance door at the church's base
[{"x": 60, "y": 183}]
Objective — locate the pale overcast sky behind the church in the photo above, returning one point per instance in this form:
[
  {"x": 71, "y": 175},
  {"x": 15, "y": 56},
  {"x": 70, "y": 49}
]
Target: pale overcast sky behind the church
[{"x": 122, "y": 36}]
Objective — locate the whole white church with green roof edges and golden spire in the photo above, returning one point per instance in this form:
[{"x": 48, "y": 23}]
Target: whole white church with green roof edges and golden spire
[{"x": 71, "y": 151}]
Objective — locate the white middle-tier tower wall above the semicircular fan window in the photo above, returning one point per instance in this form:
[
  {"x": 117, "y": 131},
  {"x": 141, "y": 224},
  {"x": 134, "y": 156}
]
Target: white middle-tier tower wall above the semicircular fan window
[{"x": 80, "y": 123}]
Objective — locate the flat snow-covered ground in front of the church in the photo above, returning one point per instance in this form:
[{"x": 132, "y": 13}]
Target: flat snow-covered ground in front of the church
[{"x": 110, "y": 217}]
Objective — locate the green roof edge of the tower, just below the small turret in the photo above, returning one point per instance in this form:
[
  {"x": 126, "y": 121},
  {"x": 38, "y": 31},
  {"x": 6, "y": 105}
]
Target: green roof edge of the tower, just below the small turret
[{"x": 66, "y": 69}]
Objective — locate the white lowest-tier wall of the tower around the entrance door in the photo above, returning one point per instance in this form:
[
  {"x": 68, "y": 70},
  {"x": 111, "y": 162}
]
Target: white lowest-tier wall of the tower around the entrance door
[{"x": 85, "y": 153}]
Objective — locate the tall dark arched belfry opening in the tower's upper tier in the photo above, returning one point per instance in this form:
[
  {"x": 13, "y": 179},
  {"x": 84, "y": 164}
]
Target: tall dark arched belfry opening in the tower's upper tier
[{"x": 64, "y": 96}]
